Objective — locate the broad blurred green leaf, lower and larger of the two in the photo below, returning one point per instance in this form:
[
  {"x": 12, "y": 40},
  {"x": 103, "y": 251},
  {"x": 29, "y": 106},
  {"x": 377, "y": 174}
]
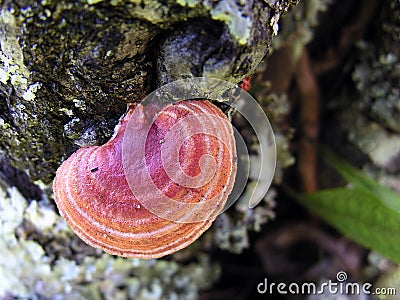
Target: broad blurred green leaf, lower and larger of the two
[{"x": 360, "y": 215}]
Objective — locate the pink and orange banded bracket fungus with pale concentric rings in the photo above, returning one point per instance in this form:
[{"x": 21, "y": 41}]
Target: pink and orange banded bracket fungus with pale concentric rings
[{"x": 189, "y": 155}]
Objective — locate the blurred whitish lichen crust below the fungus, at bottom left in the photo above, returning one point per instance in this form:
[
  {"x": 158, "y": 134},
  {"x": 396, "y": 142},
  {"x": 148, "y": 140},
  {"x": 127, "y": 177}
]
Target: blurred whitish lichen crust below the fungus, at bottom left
[{"x": 28, "y": 272}]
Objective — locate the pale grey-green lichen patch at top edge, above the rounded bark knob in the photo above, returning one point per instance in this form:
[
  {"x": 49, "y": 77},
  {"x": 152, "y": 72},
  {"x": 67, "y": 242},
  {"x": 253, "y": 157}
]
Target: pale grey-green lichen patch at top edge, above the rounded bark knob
[{"x": 239, "y": 25}]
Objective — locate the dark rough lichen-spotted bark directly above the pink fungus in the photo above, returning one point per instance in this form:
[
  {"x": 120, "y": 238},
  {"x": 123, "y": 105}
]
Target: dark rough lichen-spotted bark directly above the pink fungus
[{"x": 68, "y": 68}]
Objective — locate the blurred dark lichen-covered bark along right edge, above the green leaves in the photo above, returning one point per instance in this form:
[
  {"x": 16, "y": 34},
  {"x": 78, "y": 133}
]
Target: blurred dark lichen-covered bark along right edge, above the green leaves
[{"x": 376, "y": 105}]
